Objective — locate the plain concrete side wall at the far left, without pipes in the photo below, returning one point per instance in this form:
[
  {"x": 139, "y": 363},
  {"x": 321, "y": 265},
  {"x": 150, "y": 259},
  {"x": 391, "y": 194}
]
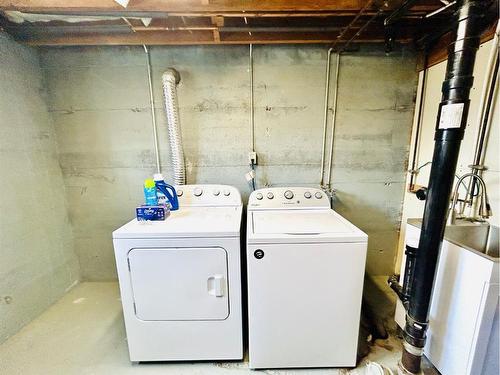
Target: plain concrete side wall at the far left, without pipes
[{"x": 38, "y": 263}]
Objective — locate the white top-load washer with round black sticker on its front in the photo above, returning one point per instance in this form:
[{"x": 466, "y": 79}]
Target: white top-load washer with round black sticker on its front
[{"x": 305, "y": 267}]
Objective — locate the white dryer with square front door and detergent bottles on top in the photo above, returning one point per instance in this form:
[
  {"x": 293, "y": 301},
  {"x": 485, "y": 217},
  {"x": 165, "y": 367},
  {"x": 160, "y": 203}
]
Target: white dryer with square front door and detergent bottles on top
[{"x": 180, "y": 279}]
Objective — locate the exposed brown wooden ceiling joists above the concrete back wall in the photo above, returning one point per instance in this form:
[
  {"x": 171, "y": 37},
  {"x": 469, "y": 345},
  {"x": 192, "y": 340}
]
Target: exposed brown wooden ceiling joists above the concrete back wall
[{"x": 205, "y": 21}]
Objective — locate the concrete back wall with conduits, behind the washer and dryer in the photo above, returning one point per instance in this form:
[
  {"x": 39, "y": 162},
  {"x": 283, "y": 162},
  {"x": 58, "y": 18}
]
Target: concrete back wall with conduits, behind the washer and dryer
[{"x": 98, "y": 97}]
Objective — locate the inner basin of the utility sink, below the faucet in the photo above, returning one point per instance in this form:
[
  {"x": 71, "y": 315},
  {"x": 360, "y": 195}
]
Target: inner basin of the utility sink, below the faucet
[{"x": 481, "y": 238}]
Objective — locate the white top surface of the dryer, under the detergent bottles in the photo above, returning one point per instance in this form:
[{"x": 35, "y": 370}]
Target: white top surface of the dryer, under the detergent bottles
[{"x": 187, "y": 222}]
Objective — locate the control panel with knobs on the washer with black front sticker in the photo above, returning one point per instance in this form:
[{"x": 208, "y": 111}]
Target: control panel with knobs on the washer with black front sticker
[{"x": 288, "y": 198}]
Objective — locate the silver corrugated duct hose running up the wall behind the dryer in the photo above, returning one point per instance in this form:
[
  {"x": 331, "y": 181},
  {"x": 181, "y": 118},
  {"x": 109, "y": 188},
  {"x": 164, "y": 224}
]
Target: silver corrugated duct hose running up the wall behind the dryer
[{"x": 170, "y": 79}]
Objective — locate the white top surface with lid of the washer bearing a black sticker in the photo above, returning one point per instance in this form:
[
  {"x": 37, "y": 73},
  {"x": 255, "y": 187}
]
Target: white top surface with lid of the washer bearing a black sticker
[{"x": 302, "y": 226}]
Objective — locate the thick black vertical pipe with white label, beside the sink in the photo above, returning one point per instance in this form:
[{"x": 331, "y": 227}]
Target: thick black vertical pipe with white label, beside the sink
[{"x": 450, "y": 127}]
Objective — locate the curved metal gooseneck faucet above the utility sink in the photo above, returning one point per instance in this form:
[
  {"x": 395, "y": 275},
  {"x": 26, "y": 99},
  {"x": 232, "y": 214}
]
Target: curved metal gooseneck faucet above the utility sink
[{"x": 484, "y": 206}]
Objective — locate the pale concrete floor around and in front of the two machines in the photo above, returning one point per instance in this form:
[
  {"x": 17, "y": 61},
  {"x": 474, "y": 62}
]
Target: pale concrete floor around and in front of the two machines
[{"x": 84, "y": 333}]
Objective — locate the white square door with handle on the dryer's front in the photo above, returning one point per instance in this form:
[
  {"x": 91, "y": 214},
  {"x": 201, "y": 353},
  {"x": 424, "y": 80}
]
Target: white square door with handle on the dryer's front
[{"x": 179, "y": 283}]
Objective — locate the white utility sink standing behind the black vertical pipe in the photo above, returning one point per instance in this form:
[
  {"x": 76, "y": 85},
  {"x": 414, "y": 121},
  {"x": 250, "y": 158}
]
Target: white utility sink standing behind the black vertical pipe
[{"x": 463, "y": 334}]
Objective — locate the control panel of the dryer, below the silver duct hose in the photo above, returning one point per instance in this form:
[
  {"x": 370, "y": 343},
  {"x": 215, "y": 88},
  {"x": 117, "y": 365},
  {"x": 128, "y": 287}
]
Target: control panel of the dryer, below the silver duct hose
[{"x": 208, "y": 195}]
